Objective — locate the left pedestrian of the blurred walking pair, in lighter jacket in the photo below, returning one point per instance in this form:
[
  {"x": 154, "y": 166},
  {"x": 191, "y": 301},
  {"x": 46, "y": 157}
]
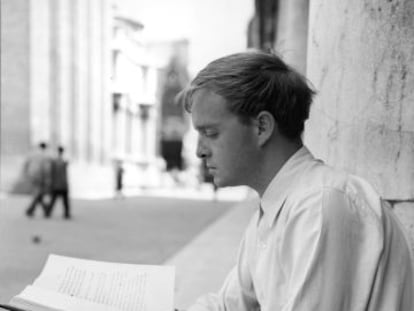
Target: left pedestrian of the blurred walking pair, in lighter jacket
[{"x": 37, "y": 169}]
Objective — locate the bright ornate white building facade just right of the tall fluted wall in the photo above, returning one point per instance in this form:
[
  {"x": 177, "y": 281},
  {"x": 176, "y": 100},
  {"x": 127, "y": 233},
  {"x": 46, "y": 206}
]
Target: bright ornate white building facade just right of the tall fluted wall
[{"x": 135, "y": 82}]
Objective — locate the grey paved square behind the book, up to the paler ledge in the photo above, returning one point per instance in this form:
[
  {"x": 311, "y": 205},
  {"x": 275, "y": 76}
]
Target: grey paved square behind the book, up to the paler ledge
[{"x": 141, "y": 230}]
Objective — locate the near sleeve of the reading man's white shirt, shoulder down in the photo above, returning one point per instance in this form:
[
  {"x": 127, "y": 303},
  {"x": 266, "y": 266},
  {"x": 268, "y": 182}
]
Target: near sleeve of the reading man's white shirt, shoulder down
[{"x": 330, "y": 249}]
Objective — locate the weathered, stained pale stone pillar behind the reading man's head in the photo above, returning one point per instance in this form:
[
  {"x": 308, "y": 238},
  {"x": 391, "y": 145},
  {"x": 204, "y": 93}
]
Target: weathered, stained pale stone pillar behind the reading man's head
[{"x": 361, "y": 61}]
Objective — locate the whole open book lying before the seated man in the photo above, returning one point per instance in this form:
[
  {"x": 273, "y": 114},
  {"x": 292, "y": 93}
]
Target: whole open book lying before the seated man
[{"x": 72, "y": 284}]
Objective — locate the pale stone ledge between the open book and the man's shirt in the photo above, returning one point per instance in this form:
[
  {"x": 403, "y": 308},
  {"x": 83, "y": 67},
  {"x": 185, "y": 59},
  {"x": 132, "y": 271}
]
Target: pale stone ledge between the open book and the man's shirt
[{"x": 202, "y": 265}]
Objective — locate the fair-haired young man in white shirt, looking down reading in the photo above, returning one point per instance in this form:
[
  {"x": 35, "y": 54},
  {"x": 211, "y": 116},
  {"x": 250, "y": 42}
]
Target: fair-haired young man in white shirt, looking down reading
[{"x": 321, "y": 239}]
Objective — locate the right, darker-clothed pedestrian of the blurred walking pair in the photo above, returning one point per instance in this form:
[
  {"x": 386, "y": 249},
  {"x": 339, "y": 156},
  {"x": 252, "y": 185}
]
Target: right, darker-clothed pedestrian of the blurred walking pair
[{"x": 59, "y": 183}]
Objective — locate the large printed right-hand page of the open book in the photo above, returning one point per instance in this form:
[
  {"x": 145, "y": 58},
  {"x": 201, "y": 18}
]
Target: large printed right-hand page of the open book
[{"x": 125, "y": 287}]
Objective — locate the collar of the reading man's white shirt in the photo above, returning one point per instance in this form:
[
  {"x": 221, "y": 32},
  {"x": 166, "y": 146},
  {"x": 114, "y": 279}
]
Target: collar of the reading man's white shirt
[{"x": 280, "y": 186}]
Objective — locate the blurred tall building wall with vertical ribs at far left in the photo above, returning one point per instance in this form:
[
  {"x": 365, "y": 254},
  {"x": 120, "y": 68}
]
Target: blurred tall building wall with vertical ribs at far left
[{"x": 55, "y": 84}]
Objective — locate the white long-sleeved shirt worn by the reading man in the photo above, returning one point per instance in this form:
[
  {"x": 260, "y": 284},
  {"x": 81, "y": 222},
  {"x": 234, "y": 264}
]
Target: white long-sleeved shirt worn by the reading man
[{"x": 325, "y": 242}]
